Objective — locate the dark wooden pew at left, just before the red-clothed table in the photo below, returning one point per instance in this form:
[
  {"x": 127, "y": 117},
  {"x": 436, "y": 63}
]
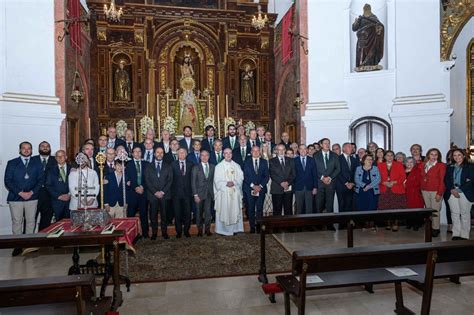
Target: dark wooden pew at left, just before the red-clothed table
[{"x": 79, "y": 239}]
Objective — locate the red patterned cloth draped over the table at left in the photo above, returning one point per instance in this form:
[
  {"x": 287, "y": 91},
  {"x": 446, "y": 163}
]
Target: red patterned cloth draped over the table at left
[{"x": 130, "y": 226}]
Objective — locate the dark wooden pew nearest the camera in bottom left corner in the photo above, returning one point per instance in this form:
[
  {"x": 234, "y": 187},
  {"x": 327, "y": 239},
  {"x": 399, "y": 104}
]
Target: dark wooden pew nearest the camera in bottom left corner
[{"x": 80, "y": 289}]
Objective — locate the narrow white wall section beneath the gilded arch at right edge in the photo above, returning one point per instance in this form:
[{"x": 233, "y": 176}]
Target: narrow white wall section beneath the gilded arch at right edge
[{"x": 459, "y": 84}]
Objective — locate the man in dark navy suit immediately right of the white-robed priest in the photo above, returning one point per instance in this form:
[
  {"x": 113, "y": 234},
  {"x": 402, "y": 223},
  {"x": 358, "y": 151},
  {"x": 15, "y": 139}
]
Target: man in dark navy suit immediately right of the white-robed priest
[{"x": 256, "y": 177}]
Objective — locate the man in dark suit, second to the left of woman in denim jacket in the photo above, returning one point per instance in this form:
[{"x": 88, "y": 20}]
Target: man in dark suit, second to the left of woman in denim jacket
[{"x": 328, "y": 168}]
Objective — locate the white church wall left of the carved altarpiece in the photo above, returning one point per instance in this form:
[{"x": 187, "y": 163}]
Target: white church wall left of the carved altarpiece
[{"x": 29, "y": 109}]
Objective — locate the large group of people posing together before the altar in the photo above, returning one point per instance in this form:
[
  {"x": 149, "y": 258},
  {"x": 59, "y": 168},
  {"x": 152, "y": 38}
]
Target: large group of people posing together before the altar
[{"x": 211, "y": 179}]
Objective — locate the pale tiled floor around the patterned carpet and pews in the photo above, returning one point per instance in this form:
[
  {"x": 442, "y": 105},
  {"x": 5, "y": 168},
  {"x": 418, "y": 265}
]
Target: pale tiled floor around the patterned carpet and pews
[{"x": 243, "y": 295}]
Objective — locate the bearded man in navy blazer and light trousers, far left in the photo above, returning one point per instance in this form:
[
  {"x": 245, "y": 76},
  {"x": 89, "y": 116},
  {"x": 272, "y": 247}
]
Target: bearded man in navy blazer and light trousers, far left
[{"x": 23, "y": 179}]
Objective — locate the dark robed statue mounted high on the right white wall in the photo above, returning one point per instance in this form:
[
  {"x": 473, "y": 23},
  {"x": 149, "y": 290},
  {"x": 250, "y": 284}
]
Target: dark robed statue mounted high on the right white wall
[{"x": 370, "y": 41}]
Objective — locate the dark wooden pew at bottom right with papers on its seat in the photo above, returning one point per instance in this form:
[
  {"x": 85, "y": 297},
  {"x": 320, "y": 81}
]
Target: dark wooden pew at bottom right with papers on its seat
[{"x": 343, "y": 267}]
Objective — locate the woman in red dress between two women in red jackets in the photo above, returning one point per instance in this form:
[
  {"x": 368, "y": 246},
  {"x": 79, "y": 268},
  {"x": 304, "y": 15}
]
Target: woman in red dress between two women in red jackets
[{"x": 413, "y": 189}]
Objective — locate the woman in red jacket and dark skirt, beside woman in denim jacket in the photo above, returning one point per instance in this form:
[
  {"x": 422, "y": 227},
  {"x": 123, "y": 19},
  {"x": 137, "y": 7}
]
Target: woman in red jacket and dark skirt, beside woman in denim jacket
[{"x": 392, "y": 190}]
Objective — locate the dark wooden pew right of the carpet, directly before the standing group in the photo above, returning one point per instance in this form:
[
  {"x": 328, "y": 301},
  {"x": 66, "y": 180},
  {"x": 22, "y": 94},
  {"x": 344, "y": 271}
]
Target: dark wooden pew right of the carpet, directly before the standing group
[{"x": 267, "y": 224}]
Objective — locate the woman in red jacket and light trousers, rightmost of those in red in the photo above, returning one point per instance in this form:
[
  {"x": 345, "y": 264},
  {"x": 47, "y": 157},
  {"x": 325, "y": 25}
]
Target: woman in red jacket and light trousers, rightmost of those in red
[{"x": 432, "y": 184}]
